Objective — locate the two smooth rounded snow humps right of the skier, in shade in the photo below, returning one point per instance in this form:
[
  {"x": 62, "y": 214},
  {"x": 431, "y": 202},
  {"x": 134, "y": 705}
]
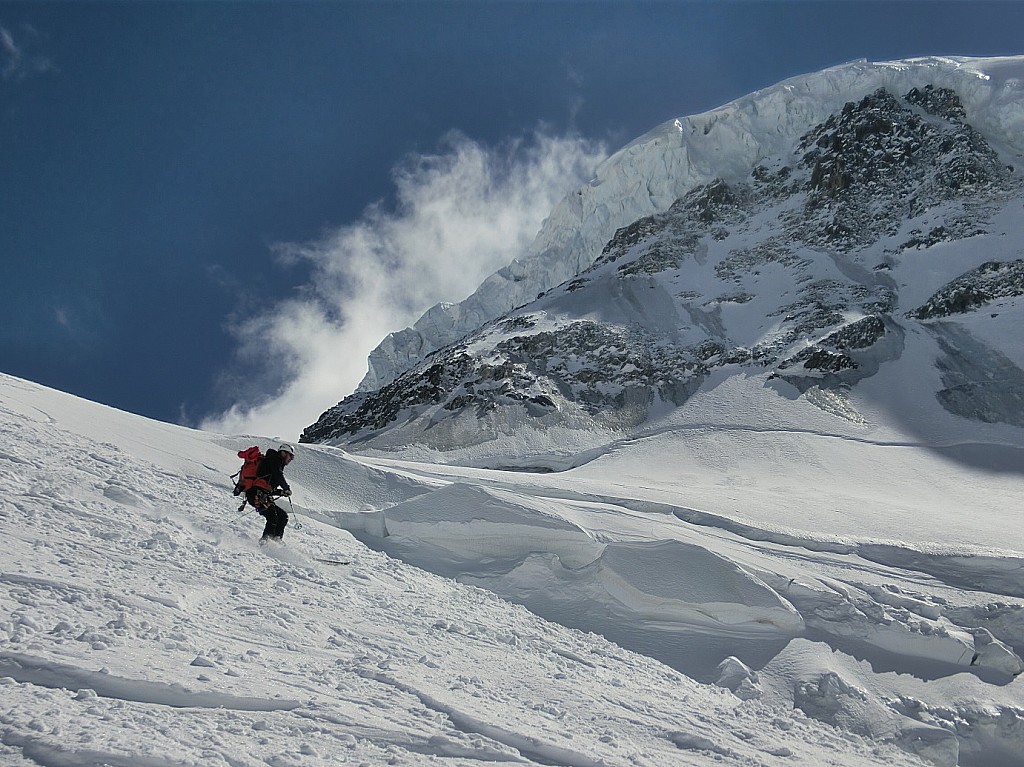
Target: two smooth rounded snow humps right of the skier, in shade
[{"x": 665, "y": 582}]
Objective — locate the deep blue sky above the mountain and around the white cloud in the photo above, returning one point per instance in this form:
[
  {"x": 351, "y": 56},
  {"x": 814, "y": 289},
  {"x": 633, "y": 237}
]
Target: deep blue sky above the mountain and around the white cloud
[{"x": 152, "y": 154}]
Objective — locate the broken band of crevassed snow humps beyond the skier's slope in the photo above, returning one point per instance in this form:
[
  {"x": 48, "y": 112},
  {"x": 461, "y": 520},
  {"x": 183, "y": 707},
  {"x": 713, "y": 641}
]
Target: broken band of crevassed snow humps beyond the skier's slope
[{"x": 746, "y": 594}]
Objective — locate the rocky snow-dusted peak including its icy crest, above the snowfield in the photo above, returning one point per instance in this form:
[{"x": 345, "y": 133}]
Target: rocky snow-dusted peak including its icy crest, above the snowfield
[{"x": 861, "y": 224}]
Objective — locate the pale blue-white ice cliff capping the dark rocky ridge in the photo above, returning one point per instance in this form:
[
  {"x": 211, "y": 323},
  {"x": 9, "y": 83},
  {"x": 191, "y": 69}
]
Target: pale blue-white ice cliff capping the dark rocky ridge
[{"x": 650, "y": 175}]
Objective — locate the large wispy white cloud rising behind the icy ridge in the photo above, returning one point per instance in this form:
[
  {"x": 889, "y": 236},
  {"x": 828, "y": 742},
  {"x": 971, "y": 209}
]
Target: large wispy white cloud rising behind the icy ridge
[{"x": 460, "y": 216}]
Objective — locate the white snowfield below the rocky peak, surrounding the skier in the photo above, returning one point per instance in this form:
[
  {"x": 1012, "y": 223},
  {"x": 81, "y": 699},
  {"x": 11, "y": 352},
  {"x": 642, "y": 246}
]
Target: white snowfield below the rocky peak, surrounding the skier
[{"x": 720, "y": 591}]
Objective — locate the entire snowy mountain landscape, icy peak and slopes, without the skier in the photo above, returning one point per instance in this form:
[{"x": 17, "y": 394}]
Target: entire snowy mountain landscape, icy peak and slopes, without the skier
[{"x": 743, "y": 487}]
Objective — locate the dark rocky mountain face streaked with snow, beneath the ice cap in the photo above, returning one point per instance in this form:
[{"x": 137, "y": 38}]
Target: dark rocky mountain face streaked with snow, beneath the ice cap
[{"x": 891, "y": 229}]
